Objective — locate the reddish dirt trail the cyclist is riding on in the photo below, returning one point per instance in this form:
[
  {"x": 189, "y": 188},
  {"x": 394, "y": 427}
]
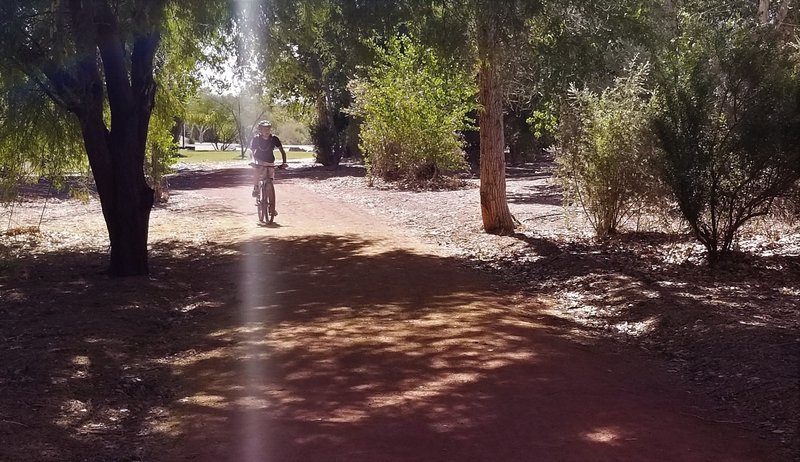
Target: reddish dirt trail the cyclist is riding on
[{"x": 342, "y": 339}]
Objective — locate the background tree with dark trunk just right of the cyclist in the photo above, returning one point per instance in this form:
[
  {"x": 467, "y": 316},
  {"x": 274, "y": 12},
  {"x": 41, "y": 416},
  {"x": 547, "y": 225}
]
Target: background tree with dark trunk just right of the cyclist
[{"x": 312, "y": 49}]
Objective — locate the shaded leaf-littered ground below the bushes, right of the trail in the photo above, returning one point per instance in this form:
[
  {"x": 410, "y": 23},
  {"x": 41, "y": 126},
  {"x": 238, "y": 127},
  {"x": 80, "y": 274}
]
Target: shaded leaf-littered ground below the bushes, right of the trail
[{"x": 693, "y": 315}]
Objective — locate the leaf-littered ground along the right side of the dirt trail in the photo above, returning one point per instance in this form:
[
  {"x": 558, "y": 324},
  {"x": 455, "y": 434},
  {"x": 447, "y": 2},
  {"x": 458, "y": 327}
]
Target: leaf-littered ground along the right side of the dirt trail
[{"x": 733, "y": 333}]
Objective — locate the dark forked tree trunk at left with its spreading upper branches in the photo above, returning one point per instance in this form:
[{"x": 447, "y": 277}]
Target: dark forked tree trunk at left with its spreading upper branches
[{"x": 108, "y": 66}]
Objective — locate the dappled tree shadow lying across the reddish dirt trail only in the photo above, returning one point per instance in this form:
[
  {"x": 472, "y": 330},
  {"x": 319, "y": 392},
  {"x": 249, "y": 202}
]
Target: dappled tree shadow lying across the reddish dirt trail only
[{"x": 399, "y": 356}]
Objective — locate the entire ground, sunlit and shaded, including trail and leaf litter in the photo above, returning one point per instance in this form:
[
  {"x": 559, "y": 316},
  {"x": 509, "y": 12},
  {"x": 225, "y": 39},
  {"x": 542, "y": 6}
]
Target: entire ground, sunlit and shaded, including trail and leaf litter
[{"x": 337, "y": 335}]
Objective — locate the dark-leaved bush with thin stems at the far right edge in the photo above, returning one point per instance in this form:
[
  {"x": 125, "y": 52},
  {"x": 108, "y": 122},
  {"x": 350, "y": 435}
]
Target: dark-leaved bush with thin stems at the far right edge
[{"x": 728, "y": 125}]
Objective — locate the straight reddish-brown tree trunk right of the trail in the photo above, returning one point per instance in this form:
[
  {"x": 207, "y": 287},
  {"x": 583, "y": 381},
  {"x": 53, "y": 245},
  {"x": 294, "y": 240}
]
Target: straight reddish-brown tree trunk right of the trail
[{"x": 497, "y": 217}]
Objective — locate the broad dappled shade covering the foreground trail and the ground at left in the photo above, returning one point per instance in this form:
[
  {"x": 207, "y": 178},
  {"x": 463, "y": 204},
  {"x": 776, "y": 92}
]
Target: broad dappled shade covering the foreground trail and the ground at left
[{"x": 319, "y": 348}]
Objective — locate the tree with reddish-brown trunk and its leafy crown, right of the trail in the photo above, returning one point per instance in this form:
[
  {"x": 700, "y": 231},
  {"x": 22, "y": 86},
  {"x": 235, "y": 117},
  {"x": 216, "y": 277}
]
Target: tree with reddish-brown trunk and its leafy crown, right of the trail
[{"x": 528, "y": 52}]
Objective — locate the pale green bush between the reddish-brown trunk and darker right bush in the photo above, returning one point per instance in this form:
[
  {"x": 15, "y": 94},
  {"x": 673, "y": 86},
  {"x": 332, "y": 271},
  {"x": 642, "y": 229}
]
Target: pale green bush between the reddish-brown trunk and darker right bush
[{"x": 604, "y": 144}]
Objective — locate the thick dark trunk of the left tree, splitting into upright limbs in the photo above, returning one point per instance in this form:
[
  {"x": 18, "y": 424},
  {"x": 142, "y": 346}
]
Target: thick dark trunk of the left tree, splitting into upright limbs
[{"x": 125, "y": 196}]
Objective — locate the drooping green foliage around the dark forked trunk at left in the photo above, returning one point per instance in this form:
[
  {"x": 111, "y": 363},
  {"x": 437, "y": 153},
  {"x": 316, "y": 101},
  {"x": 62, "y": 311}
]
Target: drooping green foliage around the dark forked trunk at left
[{"x": 38, "y": 137}]
